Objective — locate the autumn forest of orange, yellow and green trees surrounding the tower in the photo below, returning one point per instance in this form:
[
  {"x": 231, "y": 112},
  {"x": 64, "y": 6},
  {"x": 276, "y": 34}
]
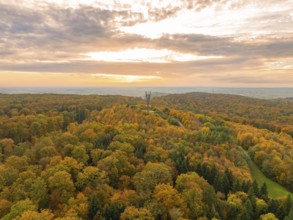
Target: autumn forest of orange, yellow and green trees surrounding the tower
[{"x": 191, "y": 156}]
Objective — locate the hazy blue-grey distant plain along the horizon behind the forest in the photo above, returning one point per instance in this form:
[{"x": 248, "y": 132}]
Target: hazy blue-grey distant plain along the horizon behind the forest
[{"x": 264, "y": 93}]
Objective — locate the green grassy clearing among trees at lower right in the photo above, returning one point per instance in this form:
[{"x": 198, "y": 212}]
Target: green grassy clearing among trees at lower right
[{"x": 275, "y": 190}]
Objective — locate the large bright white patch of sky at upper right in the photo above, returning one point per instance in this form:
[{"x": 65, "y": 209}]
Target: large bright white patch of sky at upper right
[{"x": 251, "y": 20}]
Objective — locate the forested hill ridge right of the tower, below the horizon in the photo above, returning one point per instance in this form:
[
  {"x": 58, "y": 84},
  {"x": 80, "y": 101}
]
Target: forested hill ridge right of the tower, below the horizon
[{"x": 275, "y": 115}]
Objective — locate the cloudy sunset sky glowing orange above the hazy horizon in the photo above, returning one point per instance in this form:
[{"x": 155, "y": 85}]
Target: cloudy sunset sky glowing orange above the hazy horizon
[{"x": 213, "y": 43}]
